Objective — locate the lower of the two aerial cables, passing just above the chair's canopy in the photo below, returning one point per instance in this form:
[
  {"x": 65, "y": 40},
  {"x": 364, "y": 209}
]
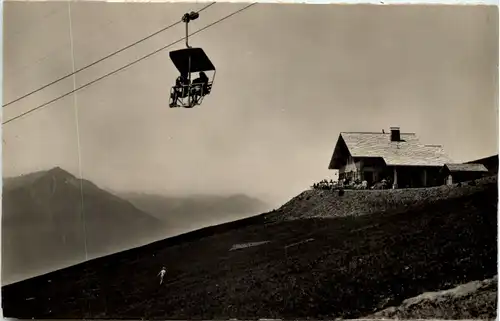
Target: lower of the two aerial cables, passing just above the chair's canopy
[{"x": 127, "y": 65}]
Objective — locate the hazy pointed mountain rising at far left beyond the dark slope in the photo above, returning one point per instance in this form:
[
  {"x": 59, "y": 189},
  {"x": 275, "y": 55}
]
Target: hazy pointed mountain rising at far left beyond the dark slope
[{"x": 43, "y": 225}]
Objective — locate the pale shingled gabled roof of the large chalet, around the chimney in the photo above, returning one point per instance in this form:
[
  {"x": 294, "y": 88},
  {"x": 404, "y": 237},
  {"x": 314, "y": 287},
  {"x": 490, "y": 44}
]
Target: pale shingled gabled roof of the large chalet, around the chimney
[{"x": 407, "y": 152}]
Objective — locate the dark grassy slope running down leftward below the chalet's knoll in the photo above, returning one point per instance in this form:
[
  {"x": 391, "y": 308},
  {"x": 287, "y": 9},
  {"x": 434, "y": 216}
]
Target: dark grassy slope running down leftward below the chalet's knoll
[{"x": 349, "y": 267}]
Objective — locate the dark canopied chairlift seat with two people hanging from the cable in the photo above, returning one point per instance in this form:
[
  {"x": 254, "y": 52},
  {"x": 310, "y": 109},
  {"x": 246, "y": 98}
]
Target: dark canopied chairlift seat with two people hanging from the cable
[{"x": 191, "y": 63}]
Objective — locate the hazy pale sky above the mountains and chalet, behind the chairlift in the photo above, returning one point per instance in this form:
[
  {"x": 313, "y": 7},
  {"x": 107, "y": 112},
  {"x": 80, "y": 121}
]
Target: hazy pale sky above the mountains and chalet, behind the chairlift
[{"x": 290, "y": 77}]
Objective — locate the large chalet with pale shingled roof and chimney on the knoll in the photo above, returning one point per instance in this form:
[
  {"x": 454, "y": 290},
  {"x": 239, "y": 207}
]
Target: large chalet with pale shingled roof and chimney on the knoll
[{"x": 395, "y": 156}]
